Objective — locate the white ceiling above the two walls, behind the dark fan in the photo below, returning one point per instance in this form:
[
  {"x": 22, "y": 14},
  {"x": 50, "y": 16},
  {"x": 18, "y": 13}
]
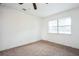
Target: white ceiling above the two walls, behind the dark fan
[{"x": 43, "y": 9}]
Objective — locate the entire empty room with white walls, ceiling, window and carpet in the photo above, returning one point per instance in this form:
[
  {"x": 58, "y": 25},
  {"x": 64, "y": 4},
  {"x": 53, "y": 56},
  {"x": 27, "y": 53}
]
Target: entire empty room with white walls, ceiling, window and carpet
[{"x": 39, "y": 29}]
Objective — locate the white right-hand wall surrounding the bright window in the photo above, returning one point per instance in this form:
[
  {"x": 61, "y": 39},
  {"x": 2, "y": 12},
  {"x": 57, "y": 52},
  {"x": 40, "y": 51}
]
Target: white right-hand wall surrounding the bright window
[{"x": 69, "y": 40}]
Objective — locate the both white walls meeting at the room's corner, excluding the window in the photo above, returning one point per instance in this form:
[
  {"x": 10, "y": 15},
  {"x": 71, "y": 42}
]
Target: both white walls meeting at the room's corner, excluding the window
[{"x": 18, "y": 29}]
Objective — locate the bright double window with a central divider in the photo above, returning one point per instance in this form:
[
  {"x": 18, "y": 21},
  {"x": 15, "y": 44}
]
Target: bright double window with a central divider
[{"x": 61, "y": 25}]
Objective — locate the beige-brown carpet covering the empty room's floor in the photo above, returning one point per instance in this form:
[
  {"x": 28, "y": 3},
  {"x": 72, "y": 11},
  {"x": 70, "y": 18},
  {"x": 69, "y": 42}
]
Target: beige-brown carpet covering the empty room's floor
[{"x": 41, "y": 48}]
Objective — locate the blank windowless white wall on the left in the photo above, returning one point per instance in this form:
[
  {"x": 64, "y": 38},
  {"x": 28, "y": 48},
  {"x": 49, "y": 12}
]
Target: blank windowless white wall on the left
[{"x": 17, "y": 28}]
